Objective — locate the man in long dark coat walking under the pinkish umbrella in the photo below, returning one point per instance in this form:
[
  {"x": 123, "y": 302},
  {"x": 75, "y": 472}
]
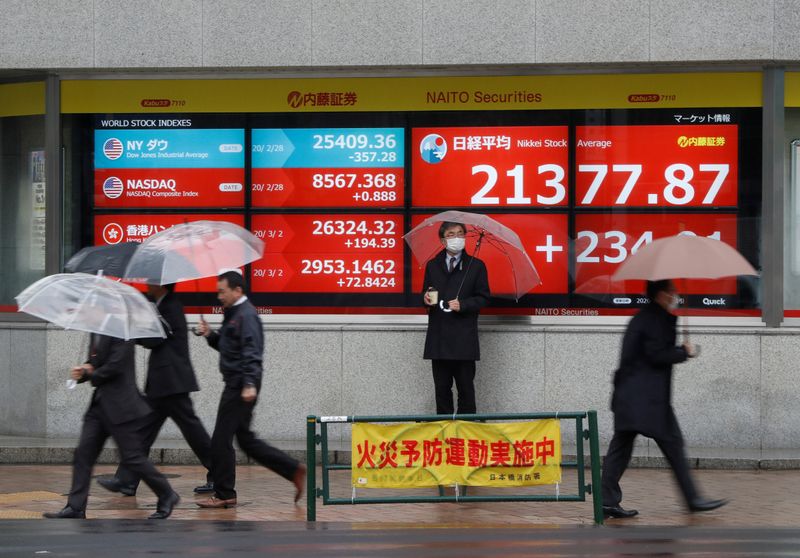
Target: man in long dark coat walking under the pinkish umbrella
[{"x": 642, "y": 399}]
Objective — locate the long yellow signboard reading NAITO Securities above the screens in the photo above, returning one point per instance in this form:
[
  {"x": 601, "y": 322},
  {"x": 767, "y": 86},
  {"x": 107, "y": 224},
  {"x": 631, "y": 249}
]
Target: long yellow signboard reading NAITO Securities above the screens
[{"x": 440, "y": 93}]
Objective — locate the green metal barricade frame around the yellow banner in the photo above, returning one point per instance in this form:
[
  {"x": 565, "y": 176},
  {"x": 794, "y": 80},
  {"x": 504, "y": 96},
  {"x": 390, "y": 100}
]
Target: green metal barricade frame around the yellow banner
[{"x": 315, "y": 439}]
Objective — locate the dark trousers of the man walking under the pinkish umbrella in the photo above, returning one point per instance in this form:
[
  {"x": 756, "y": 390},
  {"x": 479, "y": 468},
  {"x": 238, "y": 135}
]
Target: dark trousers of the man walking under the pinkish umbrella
[{"x": 619, "y": 456}]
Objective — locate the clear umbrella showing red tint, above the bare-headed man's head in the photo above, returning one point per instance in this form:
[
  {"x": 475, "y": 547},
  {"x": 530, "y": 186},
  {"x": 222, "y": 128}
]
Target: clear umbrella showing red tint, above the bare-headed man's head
[{"x": 192, "y": 251}]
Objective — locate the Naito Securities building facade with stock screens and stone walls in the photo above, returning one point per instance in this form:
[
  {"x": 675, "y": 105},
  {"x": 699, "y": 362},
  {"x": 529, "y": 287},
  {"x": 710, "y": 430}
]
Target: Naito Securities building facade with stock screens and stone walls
[{"x": 330, "y": 128}]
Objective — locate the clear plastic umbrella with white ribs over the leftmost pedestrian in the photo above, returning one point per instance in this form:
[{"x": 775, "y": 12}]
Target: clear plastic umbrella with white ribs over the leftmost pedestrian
[{"x": 91, "y": 303}]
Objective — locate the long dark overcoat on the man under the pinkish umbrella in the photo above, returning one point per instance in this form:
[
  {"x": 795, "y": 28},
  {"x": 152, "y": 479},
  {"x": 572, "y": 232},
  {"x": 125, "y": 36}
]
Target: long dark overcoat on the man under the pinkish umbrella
[{"x": 642, "y": 399}]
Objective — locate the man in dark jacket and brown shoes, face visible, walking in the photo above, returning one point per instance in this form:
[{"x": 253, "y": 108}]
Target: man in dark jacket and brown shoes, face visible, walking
[{"x": 240, "y": 342}]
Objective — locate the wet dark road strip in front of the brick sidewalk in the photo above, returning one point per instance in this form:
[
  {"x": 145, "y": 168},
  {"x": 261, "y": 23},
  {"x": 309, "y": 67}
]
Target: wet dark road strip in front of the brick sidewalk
[{"x": 300, "y": 539}]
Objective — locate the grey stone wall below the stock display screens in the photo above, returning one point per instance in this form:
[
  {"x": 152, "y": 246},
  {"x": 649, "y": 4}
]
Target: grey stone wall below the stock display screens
[{"x": 742, "y": 393}]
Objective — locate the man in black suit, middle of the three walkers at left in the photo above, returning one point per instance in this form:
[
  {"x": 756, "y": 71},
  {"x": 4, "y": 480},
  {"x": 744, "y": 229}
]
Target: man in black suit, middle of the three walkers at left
[{"x": 170, "y": 379}]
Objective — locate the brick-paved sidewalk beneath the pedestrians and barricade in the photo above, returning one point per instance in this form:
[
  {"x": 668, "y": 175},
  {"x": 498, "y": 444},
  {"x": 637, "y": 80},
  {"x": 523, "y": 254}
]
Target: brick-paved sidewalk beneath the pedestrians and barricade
[{"x": 759, "y": 498}]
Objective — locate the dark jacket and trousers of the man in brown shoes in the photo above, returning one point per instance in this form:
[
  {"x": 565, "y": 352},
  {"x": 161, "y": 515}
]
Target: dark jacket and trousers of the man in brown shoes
[{"x": 240, "y": 342}]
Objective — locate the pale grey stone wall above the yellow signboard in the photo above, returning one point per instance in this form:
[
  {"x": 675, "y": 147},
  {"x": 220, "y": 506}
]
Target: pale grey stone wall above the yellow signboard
[{"x": 197, "y": 34}]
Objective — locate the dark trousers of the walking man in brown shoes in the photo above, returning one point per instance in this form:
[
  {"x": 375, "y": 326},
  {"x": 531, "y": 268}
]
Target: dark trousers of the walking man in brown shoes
[{"x": 233, "y": 421}]
